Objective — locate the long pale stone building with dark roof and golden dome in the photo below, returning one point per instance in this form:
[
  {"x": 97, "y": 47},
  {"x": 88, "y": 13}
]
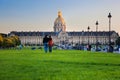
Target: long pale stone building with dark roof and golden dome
[{"x": 61, "y": 36}]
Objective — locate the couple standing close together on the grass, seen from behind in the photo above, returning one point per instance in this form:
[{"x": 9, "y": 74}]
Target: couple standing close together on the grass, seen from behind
[{"x": 48, "y": 43}]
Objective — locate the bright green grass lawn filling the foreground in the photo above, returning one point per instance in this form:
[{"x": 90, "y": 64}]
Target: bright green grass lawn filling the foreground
[{"x": 29, "y": 64}]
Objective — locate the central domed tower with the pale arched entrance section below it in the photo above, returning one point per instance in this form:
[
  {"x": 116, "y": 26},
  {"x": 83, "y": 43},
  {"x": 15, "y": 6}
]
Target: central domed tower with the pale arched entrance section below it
[{"x": 60, "y": 29}]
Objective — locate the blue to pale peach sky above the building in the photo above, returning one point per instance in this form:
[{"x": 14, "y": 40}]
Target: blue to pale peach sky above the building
[{"x": 39, "y": 15}]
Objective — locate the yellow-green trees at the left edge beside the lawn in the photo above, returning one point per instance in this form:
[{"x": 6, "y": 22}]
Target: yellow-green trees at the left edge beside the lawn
[{"x": 10, "y": 41}]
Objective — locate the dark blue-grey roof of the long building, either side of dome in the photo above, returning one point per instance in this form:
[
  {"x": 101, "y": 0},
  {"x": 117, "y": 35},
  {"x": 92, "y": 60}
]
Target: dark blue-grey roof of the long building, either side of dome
[{"x": 81, "y": 33}]
